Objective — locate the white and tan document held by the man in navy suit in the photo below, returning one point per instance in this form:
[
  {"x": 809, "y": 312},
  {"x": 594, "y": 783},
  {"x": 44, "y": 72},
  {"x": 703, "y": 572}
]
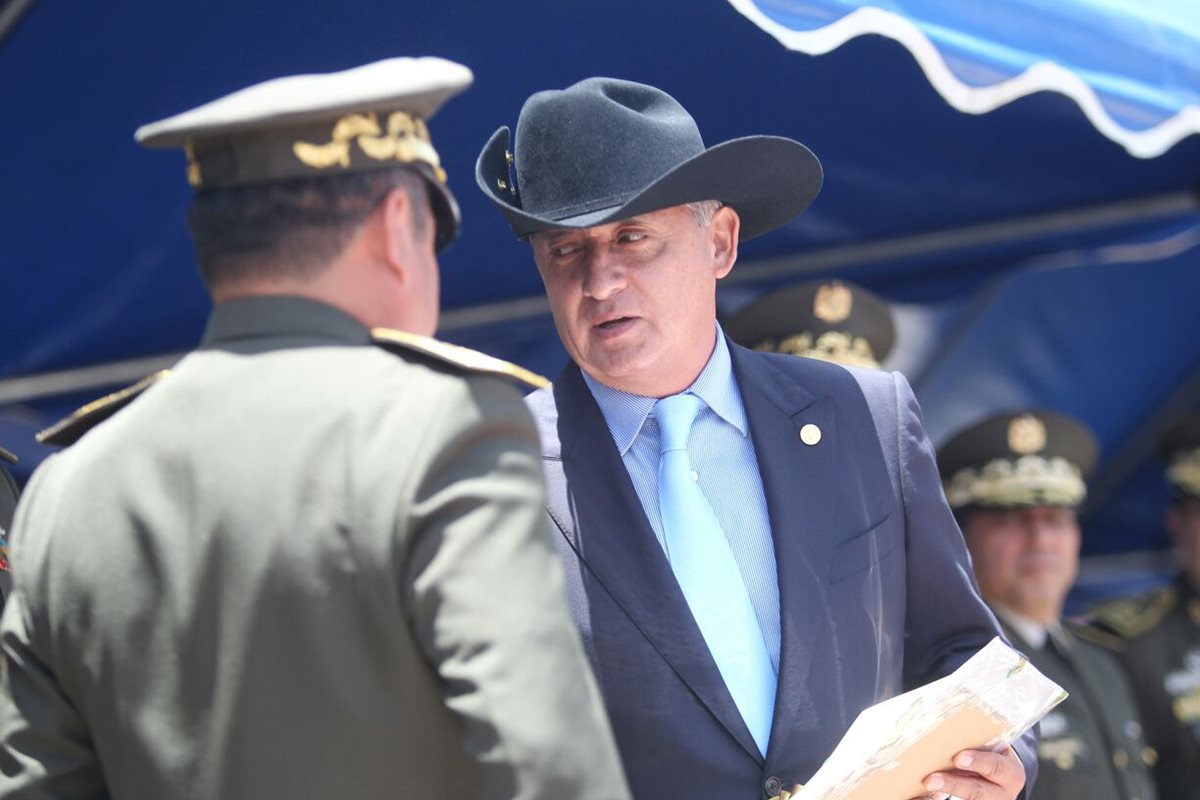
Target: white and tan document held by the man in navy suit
[{"x": 890, "y": 750}]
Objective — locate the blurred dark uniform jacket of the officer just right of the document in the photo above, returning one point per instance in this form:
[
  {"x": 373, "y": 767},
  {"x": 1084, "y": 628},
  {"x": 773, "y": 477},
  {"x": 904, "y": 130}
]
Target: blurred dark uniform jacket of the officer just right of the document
[{"x": 1093, "y": 745}]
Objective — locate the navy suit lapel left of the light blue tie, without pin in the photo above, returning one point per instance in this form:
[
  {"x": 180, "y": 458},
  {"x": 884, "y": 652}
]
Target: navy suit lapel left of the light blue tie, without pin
[{"x": 592, "y": 501}]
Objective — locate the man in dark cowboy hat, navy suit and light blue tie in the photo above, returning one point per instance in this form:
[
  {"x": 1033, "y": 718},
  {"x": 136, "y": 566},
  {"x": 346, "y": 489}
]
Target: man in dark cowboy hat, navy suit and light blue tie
[{"x": 758, "y": 548}]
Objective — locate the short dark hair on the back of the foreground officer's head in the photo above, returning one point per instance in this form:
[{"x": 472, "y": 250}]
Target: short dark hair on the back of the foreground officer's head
[{"x": 291, "y": 230}]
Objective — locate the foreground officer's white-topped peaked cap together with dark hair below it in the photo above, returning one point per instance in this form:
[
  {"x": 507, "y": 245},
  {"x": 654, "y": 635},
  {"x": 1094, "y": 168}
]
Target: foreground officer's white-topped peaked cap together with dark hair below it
[{"x": 289, "y": 172}]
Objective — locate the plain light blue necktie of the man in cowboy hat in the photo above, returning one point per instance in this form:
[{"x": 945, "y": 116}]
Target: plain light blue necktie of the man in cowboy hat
[{"x": 709, "y": 574}]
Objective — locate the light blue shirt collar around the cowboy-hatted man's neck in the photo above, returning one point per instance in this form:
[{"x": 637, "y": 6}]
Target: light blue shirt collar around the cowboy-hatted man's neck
[{"x": 717, "y": 386}]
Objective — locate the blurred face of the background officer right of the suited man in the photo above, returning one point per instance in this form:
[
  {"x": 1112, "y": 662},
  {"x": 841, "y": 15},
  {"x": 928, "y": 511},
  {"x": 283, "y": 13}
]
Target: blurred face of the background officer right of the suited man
[{"x": 1025, "y": 560}]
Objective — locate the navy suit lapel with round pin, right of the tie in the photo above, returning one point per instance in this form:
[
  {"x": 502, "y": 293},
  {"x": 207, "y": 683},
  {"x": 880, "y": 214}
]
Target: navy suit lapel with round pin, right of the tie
[{"x": 801, "y": 486}]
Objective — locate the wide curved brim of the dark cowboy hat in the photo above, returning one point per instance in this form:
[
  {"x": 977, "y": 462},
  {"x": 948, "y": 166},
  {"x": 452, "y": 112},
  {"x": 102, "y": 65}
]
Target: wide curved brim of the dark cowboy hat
[{"x": 767, "y": 181}]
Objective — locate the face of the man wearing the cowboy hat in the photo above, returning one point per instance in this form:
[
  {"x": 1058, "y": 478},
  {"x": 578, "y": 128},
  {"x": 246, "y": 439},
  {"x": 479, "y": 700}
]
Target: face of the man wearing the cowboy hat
[{"x": 635, "y": 302}]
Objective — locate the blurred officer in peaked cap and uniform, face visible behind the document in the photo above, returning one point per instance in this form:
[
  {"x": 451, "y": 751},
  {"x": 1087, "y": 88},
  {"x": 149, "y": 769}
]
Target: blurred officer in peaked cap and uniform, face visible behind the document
[{"x": 1015, "y": 480}]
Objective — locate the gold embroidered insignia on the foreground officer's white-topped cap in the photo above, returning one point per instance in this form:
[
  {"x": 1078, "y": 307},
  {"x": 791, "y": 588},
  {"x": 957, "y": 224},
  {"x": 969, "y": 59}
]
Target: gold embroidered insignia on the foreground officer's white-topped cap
[{"x": 407, "y": 140}]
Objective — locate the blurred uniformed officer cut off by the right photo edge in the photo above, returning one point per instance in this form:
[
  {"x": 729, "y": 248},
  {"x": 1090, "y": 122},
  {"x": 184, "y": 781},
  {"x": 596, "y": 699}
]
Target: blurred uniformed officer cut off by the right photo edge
[{"x": 1157, "y": 636}]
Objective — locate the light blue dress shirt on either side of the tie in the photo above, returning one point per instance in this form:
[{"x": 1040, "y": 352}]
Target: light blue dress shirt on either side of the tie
[{"x": 723, "y": 455}]
